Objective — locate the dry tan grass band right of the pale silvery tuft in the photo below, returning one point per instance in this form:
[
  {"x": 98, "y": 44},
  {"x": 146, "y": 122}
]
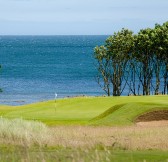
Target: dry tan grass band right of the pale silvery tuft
[{"x": 127, "y": 138}]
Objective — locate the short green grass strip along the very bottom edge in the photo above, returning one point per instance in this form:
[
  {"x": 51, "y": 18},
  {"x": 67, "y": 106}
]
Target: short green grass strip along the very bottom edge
[{"x": 81, "y": 155}]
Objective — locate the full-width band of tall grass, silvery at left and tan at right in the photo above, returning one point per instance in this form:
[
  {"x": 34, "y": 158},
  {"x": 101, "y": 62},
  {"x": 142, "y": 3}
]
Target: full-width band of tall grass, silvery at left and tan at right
[{"x": 29, "y": 133}]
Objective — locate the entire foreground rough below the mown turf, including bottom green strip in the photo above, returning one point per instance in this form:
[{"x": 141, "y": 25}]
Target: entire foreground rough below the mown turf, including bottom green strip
[{"x": 73, "y": 143}]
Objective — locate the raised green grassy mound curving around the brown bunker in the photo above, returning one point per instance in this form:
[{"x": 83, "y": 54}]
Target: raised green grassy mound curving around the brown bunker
[{"x": 126, "y": 114}]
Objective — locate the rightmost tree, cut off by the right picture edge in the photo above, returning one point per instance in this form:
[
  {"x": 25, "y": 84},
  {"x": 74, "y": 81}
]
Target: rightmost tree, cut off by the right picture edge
[{"x": 161, "y": 56}]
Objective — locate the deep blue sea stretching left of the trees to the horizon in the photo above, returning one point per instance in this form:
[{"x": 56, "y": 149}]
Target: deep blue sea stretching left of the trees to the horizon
[{"x": 34, "y": 68}]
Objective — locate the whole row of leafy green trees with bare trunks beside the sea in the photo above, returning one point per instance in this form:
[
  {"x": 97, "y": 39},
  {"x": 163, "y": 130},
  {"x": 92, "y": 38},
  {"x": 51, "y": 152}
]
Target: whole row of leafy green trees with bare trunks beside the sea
[{"x": 137, "y": 62}]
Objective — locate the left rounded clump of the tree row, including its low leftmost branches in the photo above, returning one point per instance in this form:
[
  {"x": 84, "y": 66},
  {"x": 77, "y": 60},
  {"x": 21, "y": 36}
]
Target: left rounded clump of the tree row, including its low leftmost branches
[{"x": 112, "y": 59}]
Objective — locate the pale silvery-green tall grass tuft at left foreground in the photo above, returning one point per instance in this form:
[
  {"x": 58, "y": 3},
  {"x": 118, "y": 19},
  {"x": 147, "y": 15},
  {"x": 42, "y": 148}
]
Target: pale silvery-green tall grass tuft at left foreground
[{"x": 22, "y": 132}]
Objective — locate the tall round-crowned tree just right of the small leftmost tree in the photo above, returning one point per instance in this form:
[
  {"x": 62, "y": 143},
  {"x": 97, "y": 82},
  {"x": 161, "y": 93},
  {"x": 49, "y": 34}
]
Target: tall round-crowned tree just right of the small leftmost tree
[{"x": 119, "y": 47}]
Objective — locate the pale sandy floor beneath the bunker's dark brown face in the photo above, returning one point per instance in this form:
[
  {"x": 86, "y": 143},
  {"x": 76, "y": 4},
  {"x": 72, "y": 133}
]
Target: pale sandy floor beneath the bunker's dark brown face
[{"x": 159, "y": 123}]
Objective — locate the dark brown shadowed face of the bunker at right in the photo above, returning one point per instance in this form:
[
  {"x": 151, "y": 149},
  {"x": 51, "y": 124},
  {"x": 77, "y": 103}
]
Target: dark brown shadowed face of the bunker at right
[{"x": 153, "y": 116}]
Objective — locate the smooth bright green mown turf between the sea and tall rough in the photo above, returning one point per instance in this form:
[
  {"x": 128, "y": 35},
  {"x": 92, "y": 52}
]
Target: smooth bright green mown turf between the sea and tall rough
[{"x": 82, "y": 110}]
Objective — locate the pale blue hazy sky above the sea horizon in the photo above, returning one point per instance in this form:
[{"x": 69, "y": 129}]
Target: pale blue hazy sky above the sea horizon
[{"x": 79, "y": 17}]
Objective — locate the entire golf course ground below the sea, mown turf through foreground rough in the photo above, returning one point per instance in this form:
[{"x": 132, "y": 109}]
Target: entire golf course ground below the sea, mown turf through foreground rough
[{"x": 127, "y": 128}]
